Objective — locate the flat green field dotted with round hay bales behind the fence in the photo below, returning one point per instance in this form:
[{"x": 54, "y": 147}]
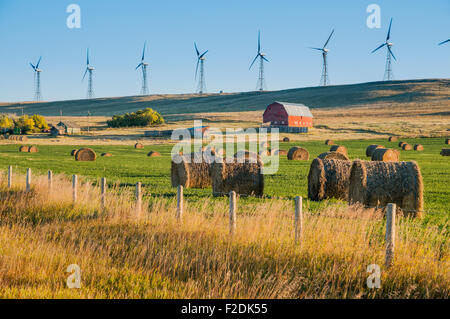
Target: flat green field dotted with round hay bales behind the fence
[{"x": 129, "y": 165}]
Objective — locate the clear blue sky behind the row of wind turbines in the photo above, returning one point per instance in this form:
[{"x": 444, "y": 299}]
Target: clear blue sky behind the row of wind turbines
[{"x": 115, "y": 32}]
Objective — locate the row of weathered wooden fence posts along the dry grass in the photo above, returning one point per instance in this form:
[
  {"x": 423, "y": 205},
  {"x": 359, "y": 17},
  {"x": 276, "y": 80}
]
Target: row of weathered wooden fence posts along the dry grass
[{"x": 390, "y": 227}]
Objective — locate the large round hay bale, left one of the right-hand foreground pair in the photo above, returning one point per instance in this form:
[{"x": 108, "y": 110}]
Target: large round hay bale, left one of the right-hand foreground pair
[{"x": 328, "y": 178}]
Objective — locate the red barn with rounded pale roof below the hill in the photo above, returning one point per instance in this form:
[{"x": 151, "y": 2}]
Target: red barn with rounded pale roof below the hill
[{"x": 288, "y": 117}]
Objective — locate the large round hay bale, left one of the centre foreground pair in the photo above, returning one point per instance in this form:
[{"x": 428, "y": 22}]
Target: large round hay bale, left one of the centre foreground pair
[{"x": 191, "y": 170}]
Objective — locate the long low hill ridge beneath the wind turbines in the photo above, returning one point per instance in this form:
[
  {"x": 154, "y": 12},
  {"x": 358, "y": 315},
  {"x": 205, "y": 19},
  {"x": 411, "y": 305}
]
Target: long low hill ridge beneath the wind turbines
[{"x": 354, "y": 95}]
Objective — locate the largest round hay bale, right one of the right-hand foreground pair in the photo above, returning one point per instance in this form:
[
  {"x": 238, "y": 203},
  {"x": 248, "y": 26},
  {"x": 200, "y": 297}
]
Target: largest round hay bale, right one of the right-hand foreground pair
[{"x": 376, "y": 184}]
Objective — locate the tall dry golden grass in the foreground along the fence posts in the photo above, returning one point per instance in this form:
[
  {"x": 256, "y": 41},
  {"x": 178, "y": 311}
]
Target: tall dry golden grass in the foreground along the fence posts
[{"x": 122, "y": 255}]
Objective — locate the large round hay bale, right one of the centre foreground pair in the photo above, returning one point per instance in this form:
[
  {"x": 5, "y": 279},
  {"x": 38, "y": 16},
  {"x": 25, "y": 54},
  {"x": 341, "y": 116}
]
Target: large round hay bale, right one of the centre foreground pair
[{"x": 244, "y": 178}]
